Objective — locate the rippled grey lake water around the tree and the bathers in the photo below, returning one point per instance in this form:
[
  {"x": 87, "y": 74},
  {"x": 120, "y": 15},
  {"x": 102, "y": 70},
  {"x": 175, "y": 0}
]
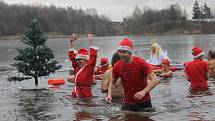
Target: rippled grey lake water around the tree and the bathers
[{"x": 172, "y": 99}]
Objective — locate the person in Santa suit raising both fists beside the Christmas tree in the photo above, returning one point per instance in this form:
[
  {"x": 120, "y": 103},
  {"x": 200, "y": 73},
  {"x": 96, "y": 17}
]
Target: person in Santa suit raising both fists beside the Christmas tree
[{"x": 83, "y": 65}]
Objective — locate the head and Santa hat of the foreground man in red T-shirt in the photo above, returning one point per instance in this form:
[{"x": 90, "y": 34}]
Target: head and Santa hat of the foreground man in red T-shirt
[{"x": 125, "y": 49}]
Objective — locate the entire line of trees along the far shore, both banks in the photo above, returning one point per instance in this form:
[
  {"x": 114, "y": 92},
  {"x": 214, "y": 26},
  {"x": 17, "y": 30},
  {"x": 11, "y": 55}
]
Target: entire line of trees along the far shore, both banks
[{"x": 170, "y": 20}]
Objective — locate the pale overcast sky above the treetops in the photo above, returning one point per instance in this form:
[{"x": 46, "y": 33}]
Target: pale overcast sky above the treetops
[{"x": 117, "y": 9}]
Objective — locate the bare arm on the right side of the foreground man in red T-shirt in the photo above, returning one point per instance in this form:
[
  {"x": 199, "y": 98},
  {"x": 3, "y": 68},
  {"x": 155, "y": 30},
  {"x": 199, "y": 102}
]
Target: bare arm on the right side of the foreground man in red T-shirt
[{"x": 153, "y": 82}]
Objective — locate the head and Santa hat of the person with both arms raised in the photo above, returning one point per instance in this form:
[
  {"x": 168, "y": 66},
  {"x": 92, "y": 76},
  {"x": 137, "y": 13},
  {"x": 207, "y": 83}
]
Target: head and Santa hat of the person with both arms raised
[{"x": 82, "y": 57}]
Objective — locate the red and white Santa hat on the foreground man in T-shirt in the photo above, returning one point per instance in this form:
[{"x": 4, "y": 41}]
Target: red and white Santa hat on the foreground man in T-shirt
[{"x": 125, "y": 44}]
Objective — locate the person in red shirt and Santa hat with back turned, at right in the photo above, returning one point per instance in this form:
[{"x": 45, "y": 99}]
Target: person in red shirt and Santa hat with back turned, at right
[{"x": 197, "y": 70}]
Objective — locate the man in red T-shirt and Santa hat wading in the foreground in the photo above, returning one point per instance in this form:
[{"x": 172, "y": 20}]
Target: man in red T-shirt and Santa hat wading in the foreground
[{"x": 133, "y": 72}]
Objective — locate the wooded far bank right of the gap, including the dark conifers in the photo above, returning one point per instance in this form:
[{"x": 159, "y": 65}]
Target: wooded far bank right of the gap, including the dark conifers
[{"x": 171, "y": 20}]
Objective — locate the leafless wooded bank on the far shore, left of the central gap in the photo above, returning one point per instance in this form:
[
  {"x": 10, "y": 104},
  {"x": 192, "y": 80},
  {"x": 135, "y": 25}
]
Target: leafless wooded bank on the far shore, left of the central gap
[{"x": 14, "y": 20}]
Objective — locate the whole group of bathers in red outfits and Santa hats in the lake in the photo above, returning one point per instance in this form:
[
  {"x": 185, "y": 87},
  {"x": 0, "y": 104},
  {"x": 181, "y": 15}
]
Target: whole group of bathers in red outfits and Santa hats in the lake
[{"x": 130, "y": 76}]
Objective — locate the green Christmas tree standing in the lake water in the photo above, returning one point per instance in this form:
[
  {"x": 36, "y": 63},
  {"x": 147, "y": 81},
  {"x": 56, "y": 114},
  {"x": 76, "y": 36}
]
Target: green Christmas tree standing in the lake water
[{"x": 36, "y": 59}]
